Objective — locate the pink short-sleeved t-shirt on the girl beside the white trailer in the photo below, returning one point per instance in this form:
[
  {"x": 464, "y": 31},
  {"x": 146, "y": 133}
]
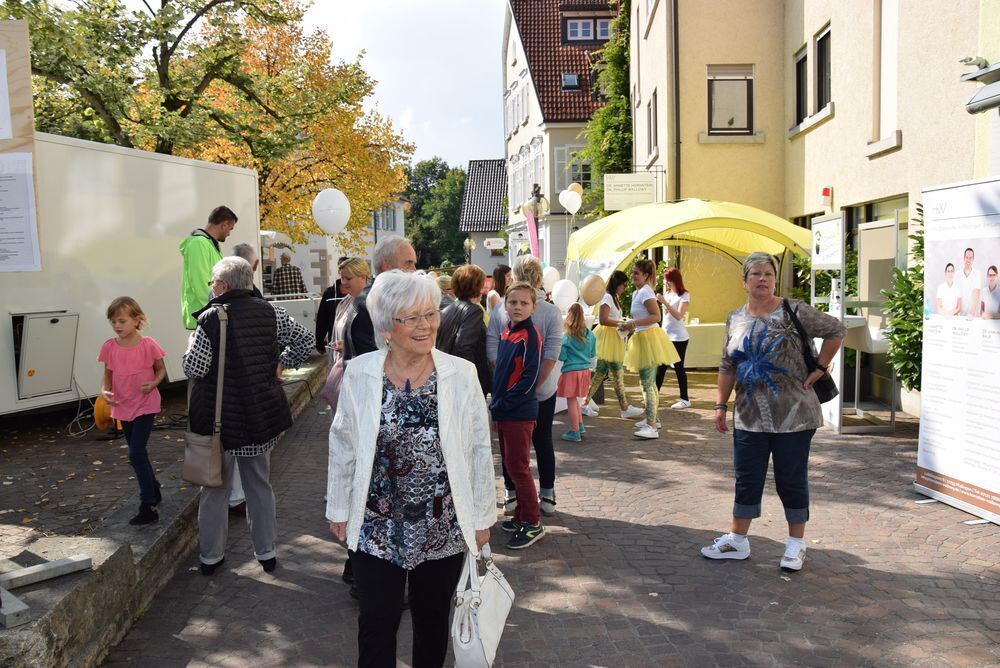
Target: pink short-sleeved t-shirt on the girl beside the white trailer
[{"x": 130, "y": 368}]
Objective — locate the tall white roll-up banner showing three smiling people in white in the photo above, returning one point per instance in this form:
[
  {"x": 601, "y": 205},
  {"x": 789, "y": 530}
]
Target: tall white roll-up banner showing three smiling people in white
[{"x": 958, "y": 460}]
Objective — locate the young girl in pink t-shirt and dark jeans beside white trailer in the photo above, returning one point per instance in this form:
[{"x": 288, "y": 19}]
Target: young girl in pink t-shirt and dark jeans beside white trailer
[{"x": 133, "y": 367}]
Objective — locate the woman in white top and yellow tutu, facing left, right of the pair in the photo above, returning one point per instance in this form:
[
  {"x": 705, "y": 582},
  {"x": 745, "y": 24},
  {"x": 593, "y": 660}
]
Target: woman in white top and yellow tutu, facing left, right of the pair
[{"x": 649, "y": 346}]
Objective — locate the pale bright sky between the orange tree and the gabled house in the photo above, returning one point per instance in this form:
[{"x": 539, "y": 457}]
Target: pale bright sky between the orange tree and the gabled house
[{"x": 438, "y": 66}]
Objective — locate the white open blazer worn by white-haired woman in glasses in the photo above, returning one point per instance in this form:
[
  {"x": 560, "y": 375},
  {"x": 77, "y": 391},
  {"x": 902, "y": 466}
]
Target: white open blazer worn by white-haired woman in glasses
[{"x": 463, "y": 426}]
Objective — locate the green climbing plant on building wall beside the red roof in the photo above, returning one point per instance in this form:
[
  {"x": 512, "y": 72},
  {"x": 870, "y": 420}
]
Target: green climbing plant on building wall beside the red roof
[{"x": 609, "y": 132}]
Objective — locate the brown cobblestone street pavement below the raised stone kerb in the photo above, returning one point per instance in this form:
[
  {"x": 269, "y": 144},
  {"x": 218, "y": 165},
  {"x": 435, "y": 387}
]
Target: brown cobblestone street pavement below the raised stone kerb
[{"x": 619, "y": 580}]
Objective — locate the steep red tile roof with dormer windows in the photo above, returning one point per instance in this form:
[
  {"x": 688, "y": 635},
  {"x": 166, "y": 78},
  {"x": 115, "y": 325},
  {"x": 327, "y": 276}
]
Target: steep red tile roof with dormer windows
[{"x": 540, "y": 26}]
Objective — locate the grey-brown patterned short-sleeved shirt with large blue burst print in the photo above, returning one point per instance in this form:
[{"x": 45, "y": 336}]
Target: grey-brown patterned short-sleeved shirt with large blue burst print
[{"x": 765, "y": 354}]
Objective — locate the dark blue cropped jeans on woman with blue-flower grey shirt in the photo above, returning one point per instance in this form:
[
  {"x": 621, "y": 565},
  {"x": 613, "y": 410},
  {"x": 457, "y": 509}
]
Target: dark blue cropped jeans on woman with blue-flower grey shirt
[{"x": 790, "y": 452}]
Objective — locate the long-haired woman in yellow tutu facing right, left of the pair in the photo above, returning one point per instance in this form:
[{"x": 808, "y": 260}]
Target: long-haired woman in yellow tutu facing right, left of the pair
[{"x": 611, "y": 346}]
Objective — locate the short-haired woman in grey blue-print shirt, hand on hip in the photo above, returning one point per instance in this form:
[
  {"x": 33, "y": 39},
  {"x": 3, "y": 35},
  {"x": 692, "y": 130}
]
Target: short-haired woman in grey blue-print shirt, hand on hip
[{"x": 776, "y": 410}]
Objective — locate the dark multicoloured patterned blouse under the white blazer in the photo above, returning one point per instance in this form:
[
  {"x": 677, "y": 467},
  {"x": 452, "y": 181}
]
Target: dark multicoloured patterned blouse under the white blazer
[{"x": 409, "y": 516}]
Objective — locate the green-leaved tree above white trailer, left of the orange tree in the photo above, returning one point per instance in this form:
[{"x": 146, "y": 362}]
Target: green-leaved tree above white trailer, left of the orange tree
[{"x": 142, "y": 78}]
